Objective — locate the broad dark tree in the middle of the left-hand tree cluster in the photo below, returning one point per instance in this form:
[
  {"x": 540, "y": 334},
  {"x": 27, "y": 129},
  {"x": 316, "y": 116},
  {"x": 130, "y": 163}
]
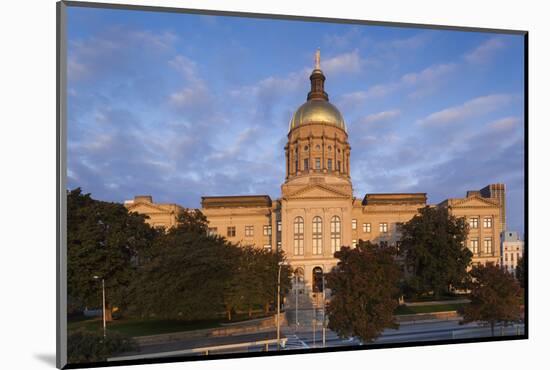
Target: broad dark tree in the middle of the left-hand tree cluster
[{"x": 185, "y": 272}]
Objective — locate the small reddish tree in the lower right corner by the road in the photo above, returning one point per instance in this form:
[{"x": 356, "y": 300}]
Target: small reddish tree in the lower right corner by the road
[{"x": 495, "y": 296}]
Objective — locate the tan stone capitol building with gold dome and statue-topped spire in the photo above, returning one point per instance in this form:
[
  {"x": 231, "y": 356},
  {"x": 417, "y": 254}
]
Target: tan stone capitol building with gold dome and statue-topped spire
[{"x": 317, "y": 213}]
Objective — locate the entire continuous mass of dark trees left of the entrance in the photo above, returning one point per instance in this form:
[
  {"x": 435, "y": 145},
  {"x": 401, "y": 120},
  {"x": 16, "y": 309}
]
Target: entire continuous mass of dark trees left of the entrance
[{"x": 180, "y": 273}]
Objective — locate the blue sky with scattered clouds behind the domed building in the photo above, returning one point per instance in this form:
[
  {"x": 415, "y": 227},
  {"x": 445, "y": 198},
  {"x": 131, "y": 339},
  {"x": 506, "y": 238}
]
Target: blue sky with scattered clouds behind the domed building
[{"x": 181, "y": 106}]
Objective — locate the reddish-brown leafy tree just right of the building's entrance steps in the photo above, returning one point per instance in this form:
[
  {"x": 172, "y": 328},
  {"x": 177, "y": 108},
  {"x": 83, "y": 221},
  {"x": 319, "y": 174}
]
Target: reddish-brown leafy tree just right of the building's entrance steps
[{"x": 364, "y": 291}]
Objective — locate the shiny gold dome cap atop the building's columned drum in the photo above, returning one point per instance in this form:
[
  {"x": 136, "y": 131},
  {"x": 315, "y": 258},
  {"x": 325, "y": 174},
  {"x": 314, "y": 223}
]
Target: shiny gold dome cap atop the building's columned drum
[{"x": 317, "y": 111}]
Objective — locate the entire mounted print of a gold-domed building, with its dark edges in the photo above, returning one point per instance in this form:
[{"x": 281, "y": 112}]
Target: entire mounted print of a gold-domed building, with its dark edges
[{"x": 235, "y": 185}]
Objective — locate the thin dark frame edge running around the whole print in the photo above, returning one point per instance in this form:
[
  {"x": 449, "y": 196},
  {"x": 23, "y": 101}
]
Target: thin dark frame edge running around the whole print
[{"x": 61, "y": 105}]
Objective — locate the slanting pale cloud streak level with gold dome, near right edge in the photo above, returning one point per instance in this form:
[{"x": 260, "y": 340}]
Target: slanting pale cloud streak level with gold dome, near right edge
[{"x": 472, "y": 108}]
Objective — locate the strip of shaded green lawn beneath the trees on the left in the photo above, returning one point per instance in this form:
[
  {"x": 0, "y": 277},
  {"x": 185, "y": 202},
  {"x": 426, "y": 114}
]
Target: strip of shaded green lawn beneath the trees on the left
[{"x": 135, "y": 327}]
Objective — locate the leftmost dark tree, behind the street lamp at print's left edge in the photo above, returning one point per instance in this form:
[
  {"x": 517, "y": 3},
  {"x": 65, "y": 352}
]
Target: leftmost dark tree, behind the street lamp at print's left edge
[{"x": 103, "y": 240}]
